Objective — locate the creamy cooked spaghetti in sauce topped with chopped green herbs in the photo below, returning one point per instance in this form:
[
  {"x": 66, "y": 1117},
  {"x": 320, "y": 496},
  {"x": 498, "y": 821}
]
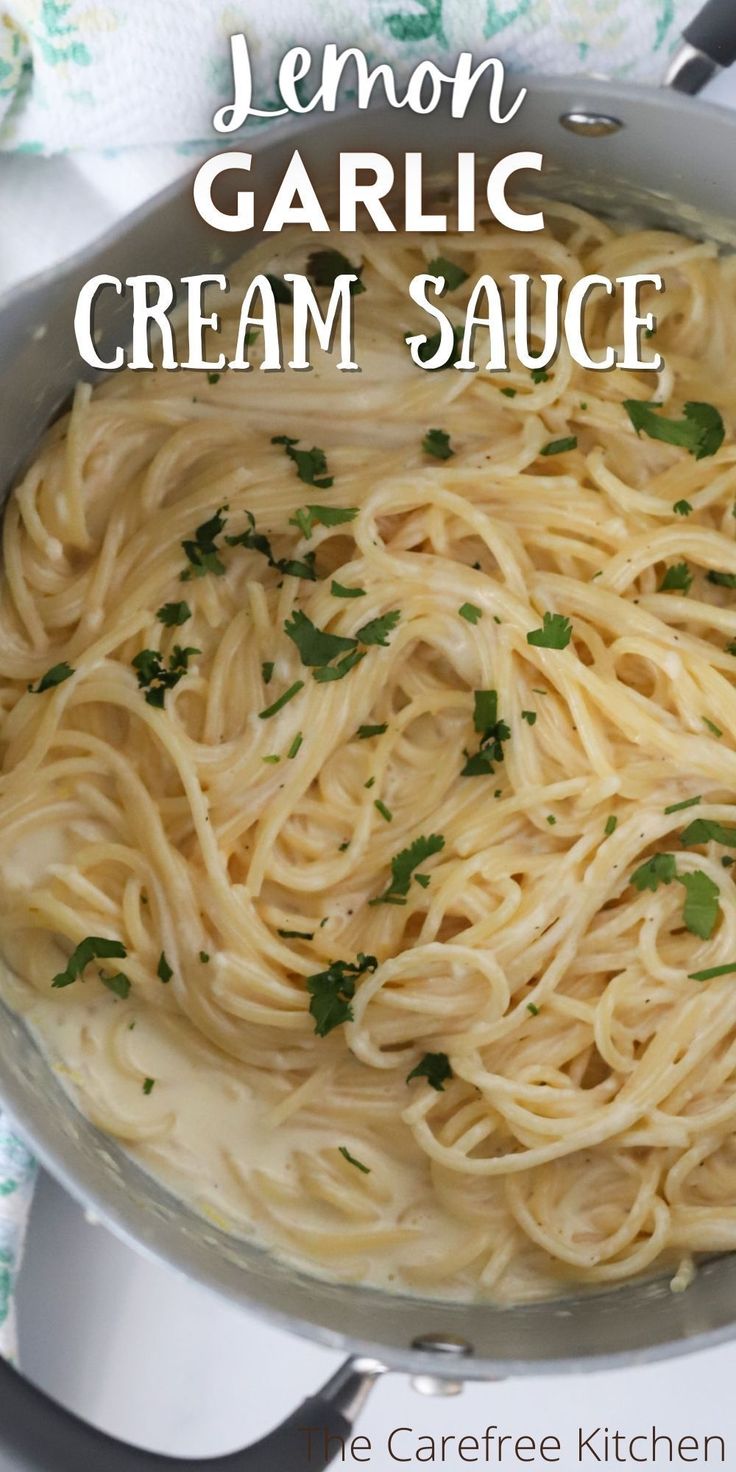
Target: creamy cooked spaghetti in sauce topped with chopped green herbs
[{"x": 347, "y": 822}]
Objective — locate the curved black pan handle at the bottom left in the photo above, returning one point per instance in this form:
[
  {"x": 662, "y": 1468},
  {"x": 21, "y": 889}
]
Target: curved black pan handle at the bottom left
[{"x": 40, "y": 1436}]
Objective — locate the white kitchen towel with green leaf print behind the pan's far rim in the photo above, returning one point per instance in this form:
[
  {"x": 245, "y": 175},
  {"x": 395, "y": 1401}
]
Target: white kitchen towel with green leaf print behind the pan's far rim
[{"x": 77, "y": 74}]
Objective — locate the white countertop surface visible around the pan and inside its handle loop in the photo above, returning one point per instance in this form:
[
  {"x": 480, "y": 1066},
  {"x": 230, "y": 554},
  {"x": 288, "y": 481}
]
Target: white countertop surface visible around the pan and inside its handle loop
[{"x": 127, "y": 1343}]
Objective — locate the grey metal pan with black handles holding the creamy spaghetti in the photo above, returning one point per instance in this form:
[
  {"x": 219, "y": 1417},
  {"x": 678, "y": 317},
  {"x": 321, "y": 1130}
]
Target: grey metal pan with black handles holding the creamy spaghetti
[{"x": 663, "y": 158}]
